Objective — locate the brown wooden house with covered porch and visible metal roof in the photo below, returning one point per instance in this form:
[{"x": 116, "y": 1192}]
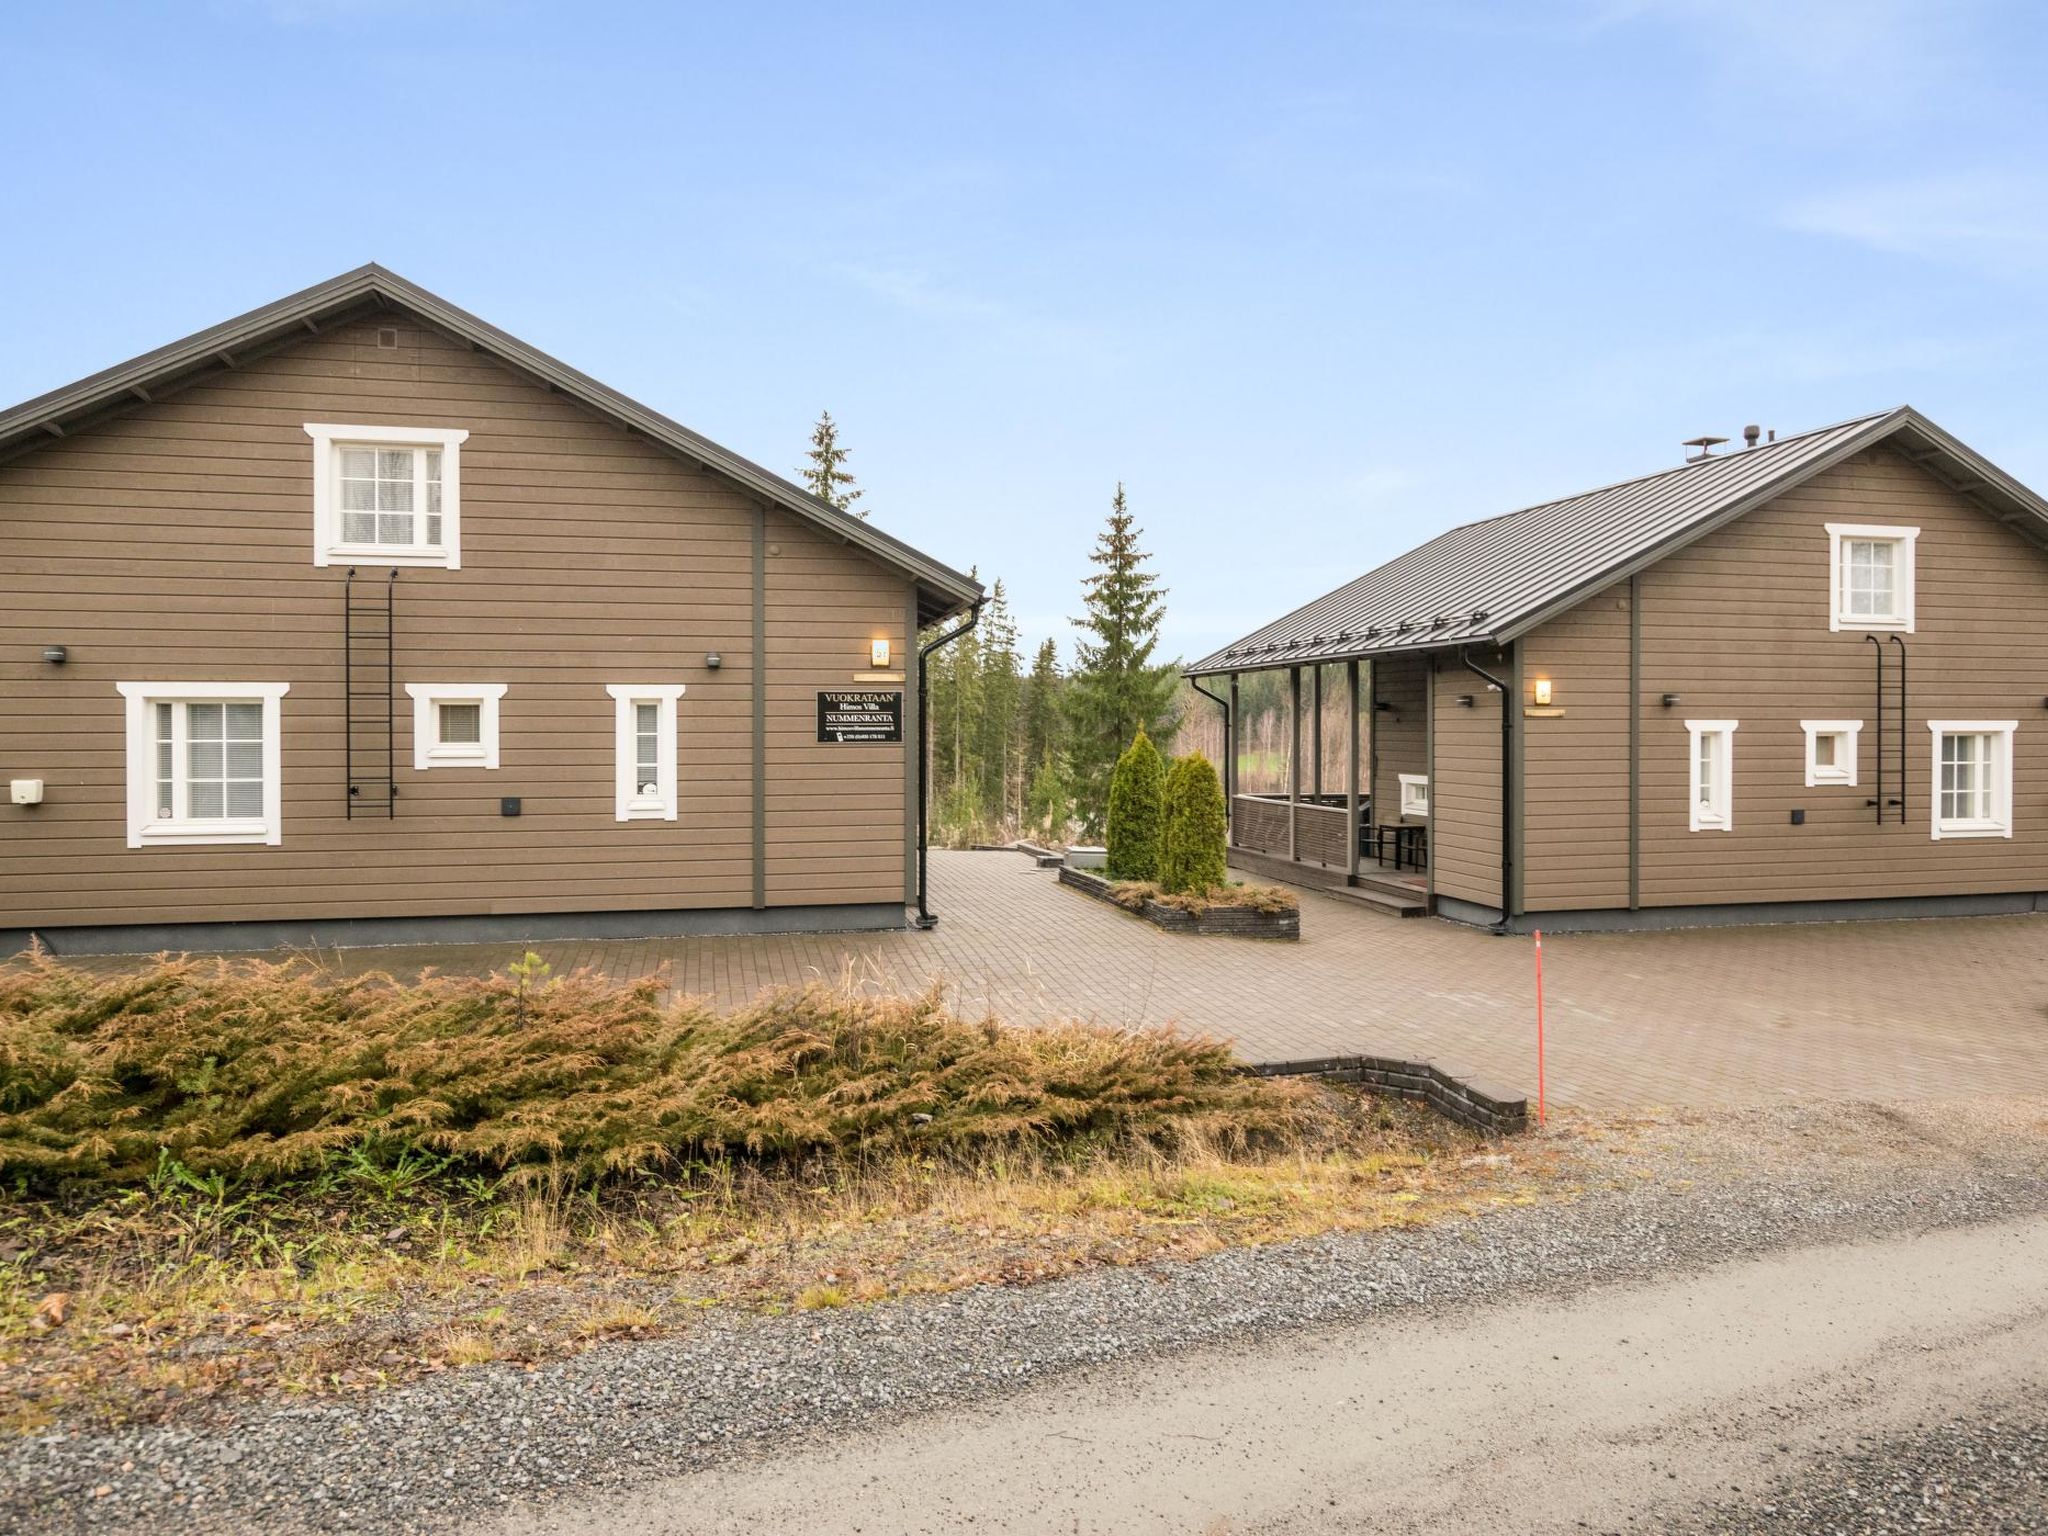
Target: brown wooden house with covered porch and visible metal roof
[{"x": 1801, "y": 679}]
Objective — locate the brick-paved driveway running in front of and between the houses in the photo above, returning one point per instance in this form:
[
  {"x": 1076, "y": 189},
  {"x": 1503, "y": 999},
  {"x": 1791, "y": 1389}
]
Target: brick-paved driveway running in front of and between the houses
[{"x": 1707, "y": 1017}]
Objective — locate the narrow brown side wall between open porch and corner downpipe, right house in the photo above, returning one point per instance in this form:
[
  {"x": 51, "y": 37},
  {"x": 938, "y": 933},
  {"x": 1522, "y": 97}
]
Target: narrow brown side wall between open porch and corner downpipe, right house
[{"x": 1465, "y": 790}]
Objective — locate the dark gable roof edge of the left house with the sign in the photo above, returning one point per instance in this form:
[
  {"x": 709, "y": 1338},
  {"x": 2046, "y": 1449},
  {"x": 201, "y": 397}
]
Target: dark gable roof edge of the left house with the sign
[{"x": 126, "y": 386}]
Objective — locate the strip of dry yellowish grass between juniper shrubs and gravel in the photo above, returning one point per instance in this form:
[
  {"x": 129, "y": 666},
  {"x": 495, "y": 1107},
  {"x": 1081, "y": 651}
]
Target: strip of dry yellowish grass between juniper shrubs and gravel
[{"x": 175, "y": 1302}]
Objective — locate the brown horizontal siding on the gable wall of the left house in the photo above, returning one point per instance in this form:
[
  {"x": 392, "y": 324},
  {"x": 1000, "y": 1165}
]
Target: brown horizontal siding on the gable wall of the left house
[{"x": 175, "y": 544}]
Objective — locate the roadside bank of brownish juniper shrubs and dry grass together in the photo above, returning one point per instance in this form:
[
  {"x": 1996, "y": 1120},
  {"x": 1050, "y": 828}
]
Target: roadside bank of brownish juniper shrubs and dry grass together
[{"x": 255, "y": 1181}]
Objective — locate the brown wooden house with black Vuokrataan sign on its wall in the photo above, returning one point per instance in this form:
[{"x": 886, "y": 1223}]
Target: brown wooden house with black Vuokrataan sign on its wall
[{"x": 355, "y": 620}]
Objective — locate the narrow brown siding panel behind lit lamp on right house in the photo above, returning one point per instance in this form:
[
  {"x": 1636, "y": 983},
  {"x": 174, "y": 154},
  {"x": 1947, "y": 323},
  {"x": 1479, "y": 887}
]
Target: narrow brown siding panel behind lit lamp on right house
[{"x": 1576, "y": 765}]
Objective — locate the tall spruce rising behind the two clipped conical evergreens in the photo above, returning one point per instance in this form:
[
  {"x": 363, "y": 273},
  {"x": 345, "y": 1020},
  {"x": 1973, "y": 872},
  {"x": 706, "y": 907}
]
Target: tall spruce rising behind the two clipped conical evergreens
[{"x": 1115, "y": 689}]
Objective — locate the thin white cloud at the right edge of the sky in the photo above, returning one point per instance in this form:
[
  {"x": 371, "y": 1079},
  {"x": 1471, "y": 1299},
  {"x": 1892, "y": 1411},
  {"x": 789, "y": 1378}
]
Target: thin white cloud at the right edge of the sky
[{"x": 1992, "y": 222}]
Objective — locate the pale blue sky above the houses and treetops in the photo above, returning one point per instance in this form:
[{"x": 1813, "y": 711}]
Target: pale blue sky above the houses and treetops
[{"x": 1314, "y": 282}]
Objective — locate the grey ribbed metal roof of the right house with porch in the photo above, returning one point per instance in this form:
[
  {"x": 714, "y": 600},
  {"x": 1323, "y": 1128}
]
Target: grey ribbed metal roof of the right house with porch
[{"x": 1494, "y": 581}]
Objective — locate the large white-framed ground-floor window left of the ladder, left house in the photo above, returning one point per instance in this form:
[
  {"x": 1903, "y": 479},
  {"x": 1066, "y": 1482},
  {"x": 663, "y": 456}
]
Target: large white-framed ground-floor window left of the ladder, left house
[{"x": 204, "y": 763}]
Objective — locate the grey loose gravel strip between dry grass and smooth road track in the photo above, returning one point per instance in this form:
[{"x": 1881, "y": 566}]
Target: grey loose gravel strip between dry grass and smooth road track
[{"x": 468, "y": 1449}]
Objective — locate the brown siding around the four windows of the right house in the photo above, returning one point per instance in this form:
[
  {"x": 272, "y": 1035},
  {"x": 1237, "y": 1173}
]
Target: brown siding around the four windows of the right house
[{"x": 1738, "y": 628}]
